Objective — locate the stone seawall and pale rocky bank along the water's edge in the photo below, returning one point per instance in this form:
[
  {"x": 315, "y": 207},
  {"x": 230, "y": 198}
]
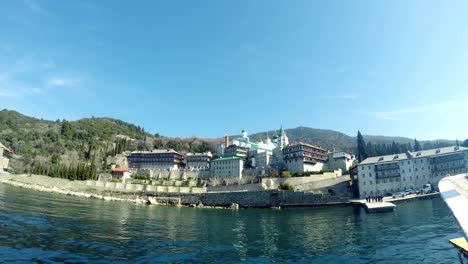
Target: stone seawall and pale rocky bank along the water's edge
[{"x": 245, "y": 199}]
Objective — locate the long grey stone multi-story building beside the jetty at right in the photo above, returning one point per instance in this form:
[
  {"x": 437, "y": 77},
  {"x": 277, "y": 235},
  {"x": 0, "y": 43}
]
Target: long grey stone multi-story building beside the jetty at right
[{"x": 410, "y": 170}]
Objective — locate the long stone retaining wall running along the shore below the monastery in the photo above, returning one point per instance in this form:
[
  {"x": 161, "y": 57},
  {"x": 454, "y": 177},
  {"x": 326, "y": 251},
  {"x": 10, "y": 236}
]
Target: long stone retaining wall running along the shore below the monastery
[{"x": 187, "y": 195}]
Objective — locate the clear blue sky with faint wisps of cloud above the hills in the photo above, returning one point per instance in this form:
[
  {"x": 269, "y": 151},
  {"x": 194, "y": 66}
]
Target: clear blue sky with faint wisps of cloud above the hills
[{"x": 210, "y": 68}]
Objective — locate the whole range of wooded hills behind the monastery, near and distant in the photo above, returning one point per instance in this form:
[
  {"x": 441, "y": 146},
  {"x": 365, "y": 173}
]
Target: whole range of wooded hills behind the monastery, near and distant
[{"x": 90, "y": 140}]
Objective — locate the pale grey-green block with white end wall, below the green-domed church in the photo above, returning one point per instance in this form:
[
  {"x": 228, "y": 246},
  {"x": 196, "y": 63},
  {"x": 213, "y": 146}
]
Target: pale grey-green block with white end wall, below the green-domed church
[{"x": 225, "y": 167}]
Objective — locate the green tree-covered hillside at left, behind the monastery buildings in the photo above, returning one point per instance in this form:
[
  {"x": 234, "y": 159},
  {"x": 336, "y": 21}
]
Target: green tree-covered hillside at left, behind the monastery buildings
[{"x": 38, "y": 144}]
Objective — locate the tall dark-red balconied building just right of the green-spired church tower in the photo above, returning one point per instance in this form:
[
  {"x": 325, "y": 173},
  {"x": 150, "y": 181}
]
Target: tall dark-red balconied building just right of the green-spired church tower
[{"x": 303, "y": 157}]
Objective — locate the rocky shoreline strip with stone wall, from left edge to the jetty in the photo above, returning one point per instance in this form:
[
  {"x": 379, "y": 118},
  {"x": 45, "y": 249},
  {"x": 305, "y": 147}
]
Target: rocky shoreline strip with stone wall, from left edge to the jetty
[{"x": 271, "y": 199}]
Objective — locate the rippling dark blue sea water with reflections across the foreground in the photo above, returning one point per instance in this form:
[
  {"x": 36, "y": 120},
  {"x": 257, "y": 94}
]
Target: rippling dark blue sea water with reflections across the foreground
[{"x": 41, "y": 226}]
